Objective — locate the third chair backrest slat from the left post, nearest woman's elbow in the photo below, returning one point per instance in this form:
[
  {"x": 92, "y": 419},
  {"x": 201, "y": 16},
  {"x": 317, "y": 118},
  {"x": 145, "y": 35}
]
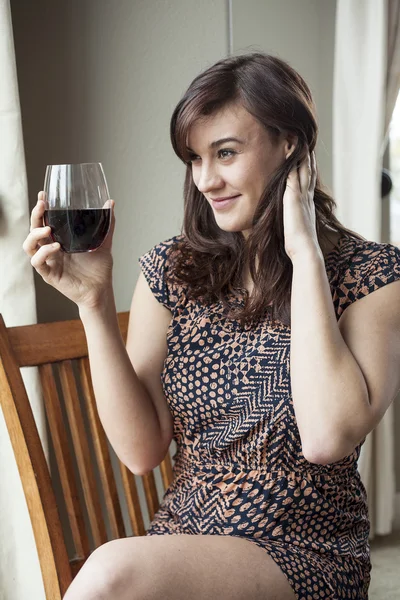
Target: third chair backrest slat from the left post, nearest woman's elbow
[{"x": 106, "y": 473}]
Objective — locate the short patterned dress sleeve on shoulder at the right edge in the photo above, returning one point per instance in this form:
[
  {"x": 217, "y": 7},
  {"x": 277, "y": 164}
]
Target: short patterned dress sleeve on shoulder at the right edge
[{"x": 379, "y": 266}]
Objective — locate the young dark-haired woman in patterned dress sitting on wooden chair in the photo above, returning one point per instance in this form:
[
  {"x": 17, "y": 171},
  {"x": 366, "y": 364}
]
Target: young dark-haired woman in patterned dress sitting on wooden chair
[{"x": 256, "y": 343}]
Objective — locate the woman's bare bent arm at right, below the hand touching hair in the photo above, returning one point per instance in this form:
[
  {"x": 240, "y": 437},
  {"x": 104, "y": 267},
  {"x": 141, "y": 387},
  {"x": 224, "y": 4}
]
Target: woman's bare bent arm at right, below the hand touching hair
[{"x": 345, "y": 374}]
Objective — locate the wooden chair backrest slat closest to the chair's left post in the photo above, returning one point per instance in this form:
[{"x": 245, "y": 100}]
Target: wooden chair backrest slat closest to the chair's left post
[{"x": 64, "y": 463}]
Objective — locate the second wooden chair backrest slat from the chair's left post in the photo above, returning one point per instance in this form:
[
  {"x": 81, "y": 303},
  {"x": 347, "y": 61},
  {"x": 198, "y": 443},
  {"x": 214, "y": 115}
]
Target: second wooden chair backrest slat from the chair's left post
[{"x": 82, "y": 452}]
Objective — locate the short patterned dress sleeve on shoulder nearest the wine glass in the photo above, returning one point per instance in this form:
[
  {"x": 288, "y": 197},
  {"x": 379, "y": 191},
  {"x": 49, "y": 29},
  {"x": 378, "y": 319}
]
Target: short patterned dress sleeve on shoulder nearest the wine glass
[{"x": 155, "y": 265}]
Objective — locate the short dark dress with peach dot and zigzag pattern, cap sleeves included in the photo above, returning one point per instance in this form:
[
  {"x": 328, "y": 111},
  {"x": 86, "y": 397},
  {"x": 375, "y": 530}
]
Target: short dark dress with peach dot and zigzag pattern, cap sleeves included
[{"x": 239, "y": 469}]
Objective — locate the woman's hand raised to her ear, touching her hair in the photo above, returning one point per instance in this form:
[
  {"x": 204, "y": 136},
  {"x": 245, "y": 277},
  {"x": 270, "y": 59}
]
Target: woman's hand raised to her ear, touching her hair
[{"x": 299, "y": 210}]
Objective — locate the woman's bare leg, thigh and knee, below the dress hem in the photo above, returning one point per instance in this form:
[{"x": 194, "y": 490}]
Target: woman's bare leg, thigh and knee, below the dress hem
[{"x": 180, "y": 567}]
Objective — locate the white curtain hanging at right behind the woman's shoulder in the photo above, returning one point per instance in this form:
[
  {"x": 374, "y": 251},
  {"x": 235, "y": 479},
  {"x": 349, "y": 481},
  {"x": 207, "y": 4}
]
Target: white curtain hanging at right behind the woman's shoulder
[{"x": 358, "y": 133}]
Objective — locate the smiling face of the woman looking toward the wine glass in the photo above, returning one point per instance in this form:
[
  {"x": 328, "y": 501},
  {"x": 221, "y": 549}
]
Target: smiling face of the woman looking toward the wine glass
[{"x": 233, "y": 157}]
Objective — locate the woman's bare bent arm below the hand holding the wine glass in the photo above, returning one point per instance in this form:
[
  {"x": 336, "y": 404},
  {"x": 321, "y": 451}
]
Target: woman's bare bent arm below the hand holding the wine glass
[{"x": 127, "y": 385}]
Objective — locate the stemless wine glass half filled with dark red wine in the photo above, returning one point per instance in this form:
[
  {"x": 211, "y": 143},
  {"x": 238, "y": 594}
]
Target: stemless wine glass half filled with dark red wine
[{"x": 77, "y": 207}]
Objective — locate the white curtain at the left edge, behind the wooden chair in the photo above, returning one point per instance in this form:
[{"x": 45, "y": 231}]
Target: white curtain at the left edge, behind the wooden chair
[{"x": 20, "y": 576}]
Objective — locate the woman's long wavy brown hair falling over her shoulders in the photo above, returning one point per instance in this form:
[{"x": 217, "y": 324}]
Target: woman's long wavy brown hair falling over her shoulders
[{"x": 211, "y": 261}]
